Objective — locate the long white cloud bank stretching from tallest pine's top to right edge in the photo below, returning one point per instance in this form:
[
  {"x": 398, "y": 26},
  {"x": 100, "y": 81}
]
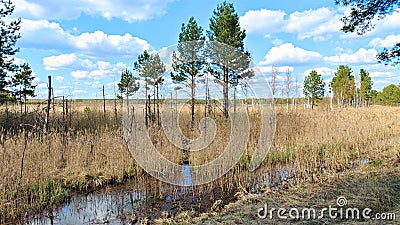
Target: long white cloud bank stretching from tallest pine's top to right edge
[{"x": 319, "y": 24}]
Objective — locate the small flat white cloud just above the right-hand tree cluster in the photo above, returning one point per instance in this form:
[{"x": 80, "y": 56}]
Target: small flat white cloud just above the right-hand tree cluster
[{"x": 360, "y": 57}]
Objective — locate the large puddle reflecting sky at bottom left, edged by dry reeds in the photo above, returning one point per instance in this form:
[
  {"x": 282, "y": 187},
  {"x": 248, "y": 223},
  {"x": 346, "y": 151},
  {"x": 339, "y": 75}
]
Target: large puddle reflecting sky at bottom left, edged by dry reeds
[{"x": 125, "y": 204}]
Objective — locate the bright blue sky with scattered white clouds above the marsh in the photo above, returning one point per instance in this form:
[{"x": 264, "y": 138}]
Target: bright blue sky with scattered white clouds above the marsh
[{"x": 85, "y": 44}]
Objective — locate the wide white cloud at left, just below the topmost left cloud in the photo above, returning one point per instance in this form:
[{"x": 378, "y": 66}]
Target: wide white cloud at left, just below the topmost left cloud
[{"x": 95, "y": 44}]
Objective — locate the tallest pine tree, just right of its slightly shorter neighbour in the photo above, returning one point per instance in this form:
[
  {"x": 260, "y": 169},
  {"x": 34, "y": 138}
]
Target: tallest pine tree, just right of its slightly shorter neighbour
[{"x": 230, "y": 61}]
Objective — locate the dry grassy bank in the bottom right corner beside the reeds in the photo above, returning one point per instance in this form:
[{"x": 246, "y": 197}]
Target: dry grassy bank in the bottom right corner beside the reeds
[{"x": 378, "y": 190}]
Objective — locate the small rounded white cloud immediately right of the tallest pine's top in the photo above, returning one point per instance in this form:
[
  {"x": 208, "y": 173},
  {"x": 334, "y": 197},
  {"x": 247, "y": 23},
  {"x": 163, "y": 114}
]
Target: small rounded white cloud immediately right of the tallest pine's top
[{"x": 263, "y": 21}]
